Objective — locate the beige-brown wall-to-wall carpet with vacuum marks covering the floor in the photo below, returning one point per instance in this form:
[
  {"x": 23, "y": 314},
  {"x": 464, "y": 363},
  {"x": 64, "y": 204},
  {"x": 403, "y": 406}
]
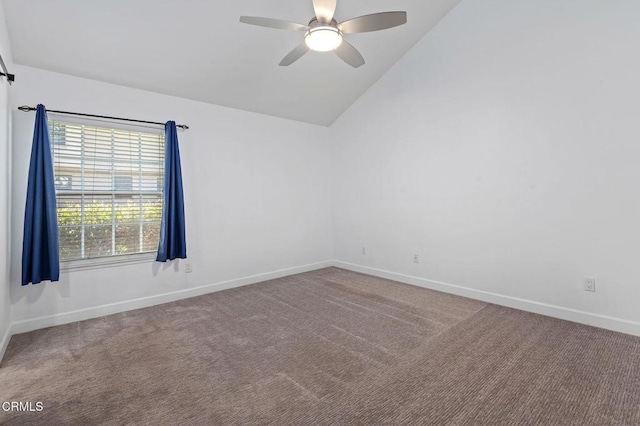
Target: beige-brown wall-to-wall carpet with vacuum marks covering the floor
[{"x": 325, "y": 347}]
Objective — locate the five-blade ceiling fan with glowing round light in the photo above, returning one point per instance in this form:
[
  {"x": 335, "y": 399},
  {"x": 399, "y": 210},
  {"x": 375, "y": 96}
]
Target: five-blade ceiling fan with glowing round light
[{"x": 324, "y": 34}]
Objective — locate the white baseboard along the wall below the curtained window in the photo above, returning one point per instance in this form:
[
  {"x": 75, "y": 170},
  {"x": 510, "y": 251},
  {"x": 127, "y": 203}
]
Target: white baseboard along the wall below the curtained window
[{"x": 144, "y": 302}]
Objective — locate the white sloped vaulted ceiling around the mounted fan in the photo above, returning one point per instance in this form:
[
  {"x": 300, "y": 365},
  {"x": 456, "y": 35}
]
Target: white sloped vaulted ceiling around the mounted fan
[{"x": 197, "y": 49}]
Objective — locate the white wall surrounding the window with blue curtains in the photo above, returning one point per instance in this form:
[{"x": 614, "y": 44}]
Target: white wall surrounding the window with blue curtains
[{"x": 256, "y": 194}]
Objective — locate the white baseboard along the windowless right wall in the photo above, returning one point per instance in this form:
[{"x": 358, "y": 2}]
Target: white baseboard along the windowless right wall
[{"x": 574, "y": 315}]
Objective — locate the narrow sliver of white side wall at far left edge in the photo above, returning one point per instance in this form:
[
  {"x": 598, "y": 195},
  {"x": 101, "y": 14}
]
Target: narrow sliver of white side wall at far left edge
[{"x": 5, "y": 186}]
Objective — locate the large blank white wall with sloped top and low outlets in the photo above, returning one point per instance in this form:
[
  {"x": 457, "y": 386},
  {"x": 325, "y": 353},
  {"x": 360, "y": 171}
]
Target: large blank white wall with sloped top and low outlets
[{"x": 504, "y": 150}]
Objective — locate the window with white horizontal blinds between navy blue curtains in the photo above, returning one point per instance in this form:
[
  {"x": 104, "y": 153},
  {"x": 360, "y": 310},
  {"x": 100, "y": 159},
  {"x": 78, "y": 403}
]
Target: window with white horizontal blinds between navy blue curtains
[{"x": 109, "y": 199}]
